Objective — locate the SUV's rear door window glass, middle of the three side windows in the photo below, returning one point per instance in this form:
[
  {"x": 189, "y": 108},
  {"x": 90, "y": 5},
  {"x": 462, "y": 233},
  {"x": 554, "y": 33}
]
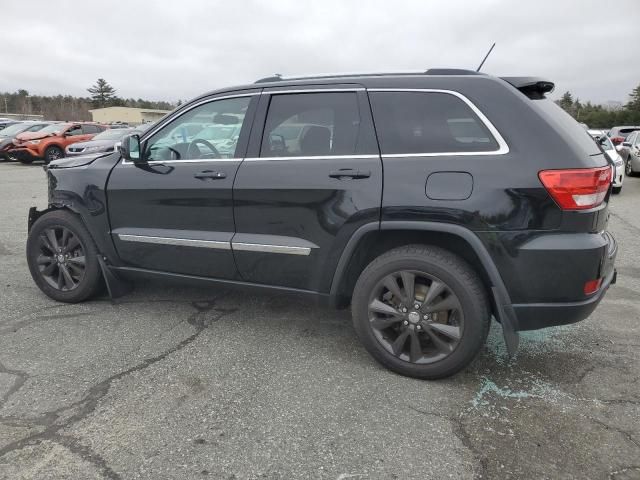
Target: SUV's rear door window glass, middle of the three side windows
[{"x": 311, "y": 124}]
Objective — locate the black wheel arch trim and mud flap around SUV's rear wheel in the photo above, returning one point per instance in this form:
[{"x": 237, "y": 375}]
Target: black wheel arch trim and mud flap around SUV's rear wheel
[{"x": 371, "y": 240}]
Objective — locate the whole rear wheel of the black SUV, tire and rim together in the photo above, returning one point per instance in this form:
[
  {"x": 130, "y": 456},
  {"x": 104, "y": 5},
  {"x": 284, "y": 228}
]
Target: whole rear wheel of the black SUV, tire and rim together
[{"x": 428, "y": 264}]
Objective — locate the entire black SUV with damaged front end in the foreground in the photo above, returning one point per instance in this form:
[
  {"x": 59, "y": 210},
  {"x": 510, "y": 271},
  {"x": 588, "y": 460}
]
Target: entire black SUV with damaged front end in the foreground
[{"x": 429, "y": 202}]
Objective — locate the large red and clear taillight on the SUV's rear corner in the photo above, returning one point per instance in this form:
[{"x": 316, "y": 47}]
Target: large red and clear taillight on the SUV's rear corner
[{"x": 577, "y": 189}]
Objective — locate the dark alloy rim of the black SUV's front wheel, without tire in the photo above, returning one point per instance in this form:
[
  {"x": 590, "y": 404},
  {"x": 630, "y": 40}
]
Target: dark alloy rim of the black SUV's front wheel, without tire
[{"x": 61, "y": 258}]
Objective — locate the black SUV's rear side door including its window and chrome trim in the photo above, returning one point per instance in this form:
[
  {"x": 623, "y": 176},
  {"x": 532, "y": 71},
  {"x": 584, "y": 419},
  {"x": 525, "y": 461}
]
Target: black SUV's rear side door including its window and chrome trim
[{"x": 312, "y": 176}]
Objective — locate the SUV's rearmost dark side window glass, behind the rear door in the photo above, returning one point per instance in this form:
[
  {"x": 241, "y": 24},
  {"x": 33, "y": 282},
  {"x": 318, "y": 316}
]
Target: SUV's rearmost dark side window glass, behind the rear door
[{"x": 425, "y": 122}]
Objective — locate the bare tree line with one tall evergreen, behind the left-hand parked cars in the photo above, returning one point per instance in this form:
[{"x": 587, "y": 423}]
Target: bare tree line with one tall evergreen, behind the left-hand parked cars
[{"x": 68, "y": 107}]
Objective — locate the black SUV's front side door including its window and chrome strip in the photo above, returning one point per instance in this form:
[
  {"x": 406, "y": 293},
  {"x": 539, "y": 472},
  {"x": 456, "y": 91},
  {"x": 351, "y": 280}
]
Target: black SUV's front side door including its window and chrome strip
[{"x": 174, "y": 212}]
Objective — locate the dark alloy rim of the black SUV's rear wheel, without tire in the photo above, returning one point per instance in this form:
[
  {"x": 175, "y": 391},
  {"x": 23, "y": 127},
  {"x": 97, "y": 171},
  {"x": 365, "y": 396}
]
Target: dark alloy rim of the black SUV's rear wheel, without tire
[{"x": 416, "y": 316}]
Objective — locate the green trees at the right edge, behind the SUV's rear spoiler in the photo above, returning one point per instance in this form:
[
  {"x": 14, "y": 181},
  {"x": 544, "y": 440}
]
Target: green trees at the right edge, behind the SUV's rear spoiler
[{"x": 599, "y": 116}]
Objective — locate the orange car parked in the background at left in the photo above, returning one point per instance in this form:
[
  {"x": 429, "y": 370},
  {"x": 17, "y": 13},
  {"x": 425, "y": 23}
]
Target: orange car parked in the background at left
[{"x": 49, "y": 143}]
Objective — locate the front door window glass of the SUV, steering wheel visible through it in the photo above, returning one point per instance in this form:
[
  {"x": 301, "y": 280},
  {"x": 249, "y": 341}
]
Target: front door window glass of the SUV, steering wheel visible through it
[{"x": 206, "y": 132}]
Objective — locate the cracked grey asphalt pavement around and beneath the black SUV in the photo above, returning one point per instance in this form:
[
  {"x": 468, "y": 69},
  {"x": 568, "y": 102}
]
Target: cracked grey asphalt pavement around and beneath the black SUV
[{"x": 190, "y": 382}]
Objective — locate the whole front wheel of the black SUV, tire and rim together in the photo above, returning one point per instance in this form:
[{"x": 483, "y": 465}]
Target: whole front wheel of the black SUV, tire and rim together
[{"x": 77, "y": 286}]
